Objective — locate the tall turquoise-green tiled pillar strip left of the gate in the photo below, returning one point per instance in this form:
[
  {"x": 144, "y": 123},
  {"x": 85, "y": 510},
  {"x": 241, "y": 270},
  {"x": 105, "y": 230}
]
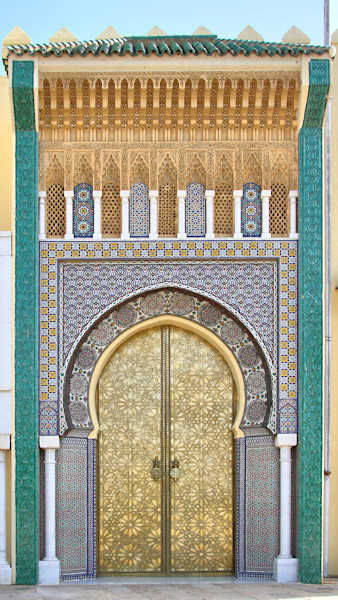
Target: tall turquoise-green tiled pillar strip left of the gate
[{"x": 26, "y": 325}]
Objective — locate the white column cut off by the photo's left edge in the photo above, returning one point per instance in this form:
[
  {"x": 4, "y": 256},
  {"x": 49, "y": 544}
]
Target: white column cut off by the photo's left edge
[{"x": 5, "y": 569}]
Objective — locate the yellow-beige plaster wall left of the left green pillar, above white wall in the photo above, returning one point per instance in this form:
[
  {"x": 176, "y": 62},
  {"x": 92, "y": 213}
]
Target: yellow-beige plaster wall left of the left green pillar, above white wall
[{"x": 6, "y": 157}]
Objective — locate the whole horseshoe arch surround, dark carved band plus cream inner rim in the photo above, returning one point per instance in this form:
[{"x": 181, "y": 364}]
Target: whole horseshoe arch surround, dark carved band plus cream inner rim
[{"x": 235, "y": 343}]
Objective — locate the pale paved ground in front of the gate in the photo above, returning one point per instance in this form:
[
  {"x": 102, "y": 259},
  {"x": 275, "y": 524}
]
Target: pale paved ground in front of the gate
[{"x": 189, "y": 589}]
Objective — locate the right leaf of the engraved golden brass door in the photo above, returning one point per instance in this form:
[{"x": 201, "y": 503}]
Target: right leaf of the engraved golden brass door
[{"x": 201, "y": 392}]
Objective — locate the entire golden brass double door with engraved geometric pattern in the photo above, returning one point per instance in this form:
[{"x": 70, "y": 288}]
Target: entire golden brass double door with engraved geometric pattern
[{"x": 165, "y": 457}]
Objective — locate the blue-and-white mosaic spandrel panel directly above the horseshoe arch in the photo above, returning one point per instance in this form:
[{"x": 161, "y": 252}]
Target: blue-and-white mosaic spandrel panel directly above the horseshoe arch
[{"x": 250, "y": 294}]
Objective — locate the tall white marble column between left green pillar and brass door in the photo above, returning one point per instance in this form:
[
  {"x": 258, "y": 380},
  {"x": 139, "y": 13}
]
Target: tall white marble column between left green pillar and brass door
[{"x": 49, "y": 567}]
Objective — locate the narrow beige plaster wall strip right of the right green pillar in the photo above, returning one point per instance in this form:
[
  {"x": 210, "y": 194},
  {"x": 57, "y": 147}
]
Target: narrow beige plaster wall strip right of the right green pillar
[{"x": 333, "y": 536}]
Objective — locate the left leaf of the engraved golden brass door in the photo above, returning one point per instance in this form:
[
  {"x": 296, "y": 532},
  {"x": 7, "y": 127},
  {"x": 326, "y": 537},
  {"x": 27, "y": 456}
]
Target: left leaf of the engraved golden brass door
[{"x": 130, "y": 421}]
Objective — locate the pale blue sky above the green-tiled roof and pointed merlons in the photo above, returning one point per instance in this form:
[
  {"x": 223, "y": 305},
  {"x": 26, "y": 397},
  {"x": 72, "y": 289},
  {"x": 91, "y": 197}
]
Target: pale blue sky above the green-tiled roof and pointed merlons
[{"x": 87, "y": 19}]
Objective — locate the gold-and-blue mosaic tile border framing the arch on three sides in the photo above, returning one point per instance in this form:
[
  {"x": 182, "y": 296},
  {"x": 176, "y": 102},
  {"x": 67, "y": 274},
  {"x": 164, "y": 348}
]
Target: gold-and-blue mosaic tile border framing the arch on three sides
[{"x": 283, "y": 251}]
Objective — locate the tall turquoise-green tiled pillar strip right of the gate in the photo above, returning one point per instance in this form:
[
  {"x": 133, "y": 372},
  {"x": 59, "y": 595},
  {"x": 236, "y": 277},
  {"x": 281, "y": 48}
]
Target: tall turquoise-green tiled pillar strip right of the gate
[{"x": 311, "y": 324}]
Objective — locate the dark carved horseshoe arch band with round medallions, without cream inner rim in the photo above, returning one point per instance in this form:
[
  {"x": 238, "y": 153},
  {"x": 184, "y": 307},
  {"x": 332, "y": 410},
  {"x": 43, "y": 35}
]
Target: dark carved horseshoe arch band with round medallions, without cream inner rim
[{"x": 259, "y": 407}]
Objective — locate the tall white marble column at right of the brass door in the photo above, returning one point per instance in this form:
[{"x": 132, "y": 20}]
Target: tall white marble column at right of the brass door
[{"x": 285, "y": 566}]
